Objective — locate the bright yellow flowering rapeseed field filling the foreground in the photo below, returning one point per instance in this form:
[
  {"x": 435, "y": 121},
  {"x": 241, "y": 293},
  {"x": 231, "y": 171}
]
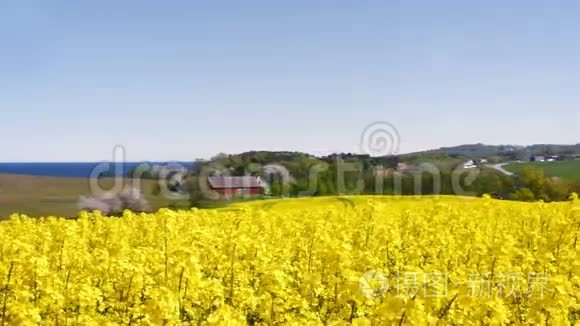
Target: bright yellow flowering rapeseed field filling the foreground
[{"x": 336, "y": 261}]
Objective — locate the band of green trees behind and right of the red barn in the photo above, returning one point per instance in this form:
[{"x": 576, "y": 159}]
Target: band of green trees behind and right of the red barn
[{"x": 324, "y": 176}]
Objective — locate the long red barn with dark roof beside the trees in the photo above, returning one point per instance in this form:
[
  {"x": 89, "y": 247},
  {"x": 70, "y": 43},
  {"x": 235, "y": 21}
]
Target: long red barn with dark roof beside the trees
[{"x": 232, "y": 186}]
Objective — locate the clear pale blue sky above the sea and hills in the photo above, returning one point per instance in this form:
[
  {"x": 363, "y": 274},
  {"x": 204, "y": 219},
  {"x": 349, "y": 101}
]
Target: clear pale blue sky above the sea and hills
[{"x": 185, "y": 79}]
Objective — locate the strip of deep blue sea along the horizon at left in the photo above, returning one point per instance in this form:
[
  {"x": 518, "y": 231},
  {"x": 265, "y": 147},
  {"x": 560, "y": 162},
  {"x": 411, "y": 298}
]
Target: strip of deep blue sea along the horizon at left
[{"x": 84, "y": 169}]
